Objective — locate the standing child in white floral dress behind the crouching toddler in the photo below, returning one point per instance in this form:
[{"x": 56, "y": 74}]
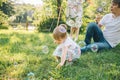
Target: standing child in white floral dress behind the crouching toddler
[{"x": 74, "y": 17}]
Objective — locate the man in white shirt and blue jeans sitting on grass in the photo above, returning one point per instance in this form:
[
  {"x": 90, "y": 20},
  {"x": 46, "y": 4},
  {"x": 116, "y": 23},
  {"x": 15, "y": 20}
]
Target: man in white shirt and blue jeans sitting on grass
[{"x": 110, "y": 37}]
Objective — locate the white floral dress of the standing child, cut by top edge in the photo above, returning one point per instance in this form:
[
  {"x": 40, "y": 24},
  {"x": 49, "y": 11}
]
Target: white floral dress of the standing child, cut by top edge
[{"x": 74, "y": 13}]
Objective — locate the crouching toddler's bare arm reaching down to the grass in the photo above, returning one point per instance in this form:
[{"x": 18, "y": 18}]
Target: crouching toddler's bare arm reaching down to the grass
[{"x": 63, "y": 57}]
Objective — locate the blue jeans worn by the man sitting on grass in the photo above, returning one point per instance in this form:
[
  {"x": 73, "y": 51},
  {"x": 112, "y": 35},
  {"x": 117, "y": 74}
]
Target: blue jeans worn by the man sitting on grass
[{"x": 93, "y": 31}]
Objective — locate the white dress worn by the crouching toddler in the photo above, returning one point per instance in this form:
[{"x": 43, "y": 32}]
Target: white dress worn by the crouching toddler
[{"x": 73, "y": 49}]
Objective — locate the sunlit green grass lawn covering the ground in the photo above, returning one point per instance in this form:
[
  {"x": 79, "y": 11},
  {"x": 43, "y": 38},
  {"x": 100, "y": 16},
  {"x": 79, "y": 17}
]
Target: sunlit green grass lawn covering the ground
[{"x": 21, "y": 53}]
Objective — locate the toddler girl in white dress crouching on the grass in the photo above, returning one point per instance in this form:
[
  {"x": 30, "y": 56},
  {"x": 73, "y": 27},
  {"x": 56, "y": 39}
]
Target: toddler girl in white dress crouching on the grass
[{"x": 67, "y": 49}]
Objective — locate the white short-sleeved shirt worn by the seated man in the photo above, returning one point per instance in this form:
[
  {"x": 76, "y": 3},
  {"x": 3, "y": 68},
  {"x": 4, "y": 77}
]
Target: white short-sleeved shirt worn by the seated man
[{"x": 111, "y": 31}]
